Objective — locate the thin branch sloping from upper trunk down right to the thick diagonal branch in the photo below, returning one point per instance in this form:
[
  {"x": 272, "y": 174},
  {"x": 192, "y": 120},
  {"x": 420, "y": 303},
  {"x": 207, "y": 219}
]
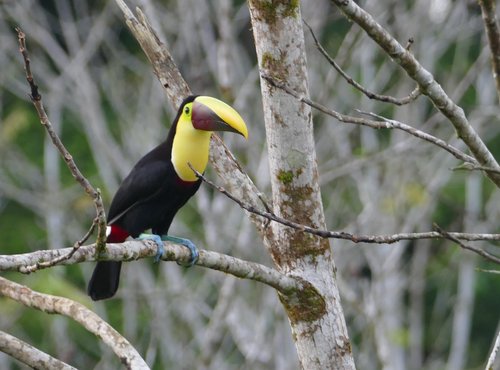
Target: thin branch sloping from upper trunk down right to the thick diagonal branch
[{"x": 384, "y": 124}]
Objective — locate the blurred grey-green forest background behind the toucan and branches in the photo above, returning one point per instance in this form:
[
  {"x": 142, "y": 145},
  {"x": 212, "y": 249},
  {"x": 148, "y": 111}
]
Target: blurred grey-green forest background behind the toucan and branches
[{"x": 411, "y": 305}]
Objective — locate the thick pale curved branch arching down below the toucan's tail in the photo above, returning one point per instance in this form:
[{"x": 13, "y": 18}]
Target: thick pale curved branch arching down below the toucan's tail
[{"x": 78, "y": 312}]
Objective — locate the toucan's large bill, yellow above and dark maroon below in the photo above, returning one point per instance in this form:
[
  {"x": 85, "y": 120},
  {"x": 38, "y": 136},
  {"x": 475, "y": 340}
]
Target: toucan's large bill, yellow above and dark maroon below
[{"x": 210, "y": 114}]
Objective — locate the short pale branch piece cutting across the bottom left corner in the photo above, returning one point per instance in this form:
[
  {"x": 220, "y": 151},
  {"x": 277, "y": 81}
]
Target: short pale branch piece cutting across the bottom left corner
[{"x": 29, "y": 355}]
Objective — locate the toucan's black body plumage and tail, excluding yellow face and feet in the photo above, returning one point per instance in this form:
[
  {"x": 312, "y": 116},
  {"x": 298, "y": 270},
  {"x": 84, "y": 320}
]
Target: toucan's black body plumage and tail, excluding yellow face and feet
[{"x": 148, "y": 198}]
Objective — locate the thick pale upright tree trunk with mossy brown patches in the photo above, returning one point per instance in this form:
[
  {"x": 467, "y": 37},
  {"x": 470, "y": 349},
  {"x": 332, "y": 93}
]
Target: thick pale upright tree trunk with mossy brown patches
[{"x": 315, "y": 314}]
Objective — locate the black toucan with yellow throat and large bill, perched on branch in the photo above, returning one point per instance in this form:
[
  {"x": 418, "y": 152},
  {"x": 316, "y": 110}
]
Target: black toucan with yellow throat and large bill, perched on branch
[{"x": 162, "y": 182}]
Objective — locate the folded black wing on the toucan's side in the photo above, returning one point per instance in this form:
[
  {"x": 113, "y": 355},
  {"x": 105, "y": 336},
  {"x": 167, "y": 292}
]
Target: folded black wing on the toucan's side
[{"x": 144, "y": 181}]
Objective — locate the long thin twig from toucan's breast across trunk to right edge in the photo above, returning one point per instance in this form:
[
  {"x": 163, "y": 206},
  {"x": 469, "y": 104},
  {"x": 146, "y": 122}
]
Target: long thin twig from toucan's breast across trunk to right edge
[{"x": 372, "y": 239}]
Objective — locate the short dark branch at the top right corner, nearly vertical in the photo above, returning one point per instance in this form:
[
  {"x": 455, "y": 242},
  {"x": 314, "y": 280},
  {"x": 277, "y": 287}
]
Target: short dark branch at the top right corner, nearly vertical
[{"x": 492, "y": 31}]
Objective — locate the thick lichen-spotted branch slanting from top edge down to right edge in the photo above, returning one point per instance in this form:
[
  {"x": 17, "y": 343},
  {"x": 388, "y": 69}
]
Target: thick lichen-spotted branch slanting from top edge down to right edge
[{"x": 426, "y": 83}]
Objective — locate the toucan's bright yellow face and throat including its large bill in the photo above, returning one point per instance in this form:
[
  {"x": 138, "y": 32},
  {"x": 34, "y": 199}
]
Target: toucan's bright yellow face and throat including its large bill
[{"x": 195, "y": 126}]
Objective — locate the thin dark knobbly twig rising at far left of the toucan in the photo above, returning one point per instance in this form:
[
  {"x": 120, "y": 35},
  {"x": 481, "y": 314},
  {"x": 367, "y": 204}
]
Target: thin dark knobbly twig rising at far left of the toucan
[{"x": 95, "y": 194}]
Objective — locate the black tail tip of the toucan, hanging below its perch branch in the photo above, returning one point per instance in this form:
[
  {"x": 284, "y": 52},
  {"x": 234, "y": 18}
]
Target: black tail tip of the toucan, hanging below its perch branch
[{"x": 105, "y": 279}]
